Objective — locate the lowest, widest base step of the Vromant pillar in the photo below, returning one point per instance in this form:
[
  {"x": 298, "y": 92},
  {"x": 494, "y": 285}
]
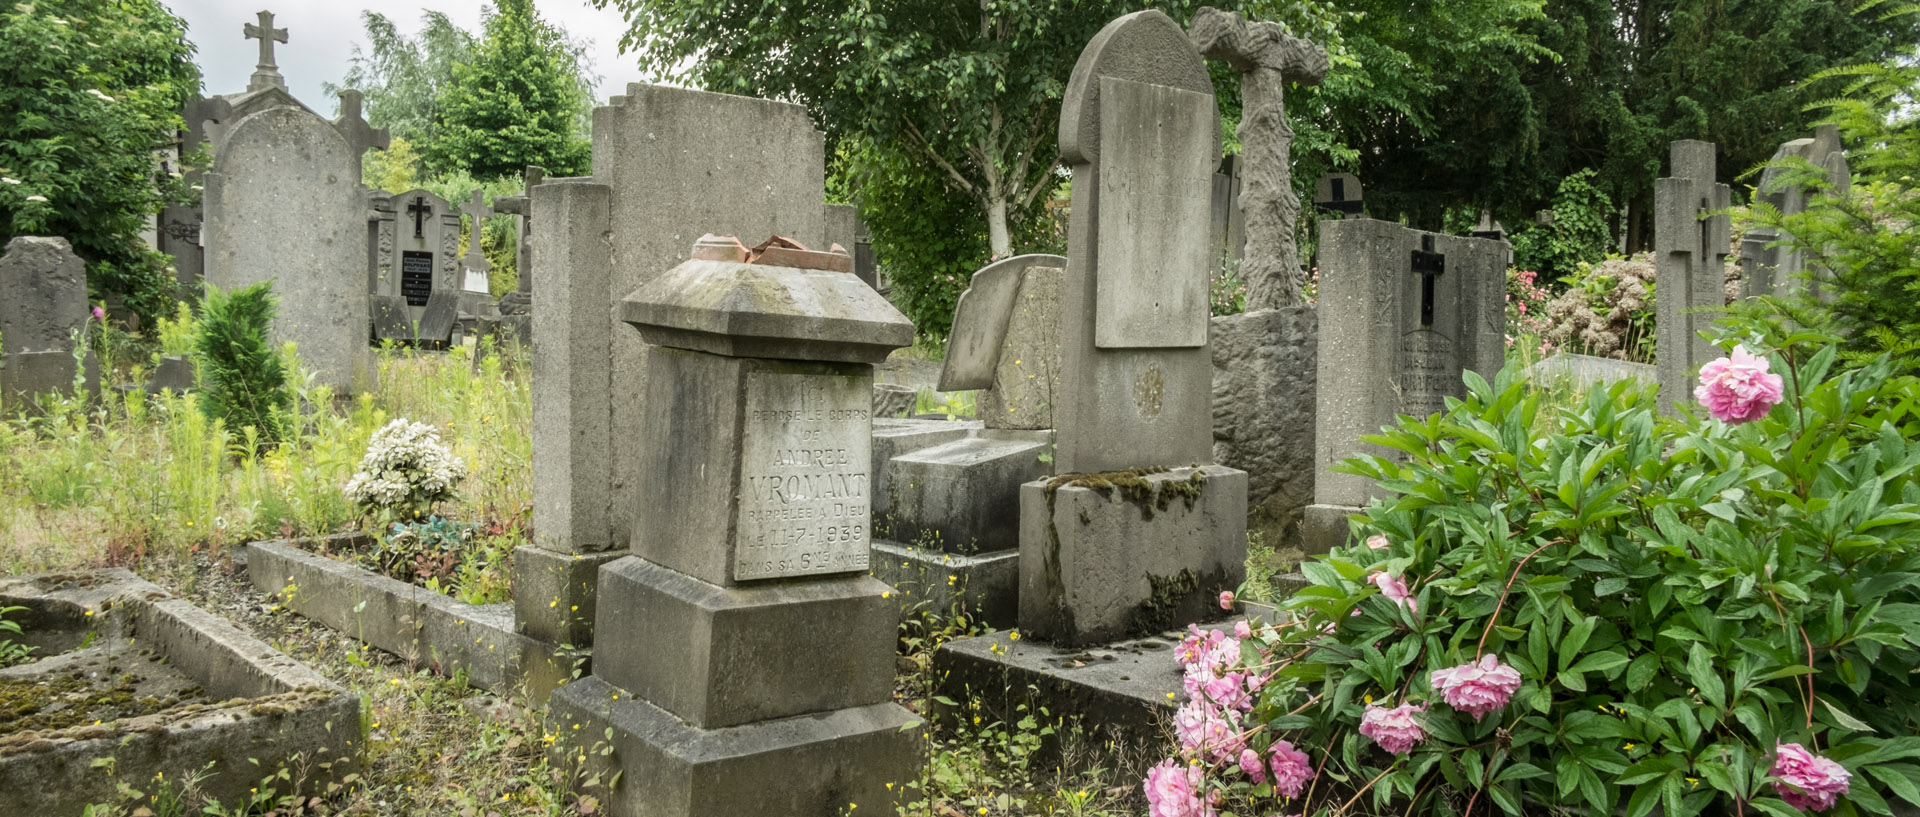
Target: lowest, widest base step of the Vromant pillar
[{"x": 796, "y": 766}]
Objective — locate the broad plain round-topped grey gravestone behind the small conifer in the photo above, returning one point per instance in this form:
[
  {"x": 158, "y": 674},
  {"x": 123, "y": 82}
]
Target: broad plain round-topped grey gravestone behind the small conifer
[{"x": 285, "y": 204}]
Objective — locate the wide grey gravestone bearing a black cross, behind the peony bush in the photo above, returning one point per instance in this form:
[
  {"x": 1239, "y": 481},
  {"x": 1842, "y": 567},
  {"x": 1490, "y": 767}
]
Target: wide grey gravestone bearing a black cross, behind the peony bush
[{"x": 1403, "y": 314}]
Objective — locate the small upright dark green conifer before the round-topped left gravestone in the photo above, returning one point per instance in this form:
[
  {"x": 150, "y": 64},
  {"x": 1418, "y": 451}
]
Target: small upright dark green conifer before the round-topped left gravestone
[{"x": 243, "y": 377}]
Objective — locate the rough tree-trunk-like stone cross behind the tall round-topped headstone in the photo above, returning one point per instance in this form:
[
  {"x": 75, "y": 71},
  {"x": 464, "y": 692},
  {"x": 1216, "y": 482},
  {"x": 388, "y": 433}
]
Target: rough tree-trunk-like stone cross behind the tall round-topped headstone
[{"x": 1266, "y": 58}]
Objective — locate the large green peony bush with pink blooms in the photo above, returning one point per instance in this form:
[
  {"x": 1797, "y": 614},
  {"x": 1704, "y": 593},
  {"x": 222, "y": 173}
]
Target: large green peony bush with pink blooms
[{"x": 1708, "y": 615}]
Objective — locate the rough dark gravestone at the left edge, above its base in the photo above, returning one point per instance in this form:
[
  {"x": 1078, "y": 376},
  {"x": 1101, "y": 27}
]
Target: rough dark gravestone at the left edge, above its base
[{"x": 45, "y": 300}]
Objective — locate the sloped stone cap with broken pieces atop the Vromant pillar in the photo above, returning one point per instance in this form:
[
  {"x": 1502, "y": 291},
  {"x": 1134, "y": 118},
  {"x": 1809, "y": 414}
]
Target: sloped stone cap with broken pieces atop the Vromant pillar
[{"x": 779, "y": 300}]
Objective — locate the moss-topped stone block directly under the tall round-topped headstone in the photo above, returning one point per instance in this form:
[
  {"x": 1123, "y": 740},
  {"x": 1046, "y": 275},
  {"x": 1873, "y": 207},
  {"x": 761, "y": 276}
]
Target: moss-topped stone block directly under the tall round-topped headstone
[{"x": 1105, "y": 557}]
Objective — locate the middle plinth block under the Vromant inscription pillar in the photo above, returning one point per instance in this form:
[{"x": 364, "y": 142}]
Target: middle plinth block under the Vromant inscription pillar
[{"x": 721, "y": 657}]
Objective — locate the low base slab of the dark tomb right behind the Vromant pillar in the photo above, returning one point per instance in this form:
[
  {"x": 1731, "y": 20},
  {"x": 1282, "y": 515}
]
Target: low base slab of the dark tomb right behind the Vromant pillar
[{"x": 982, "y": 586}]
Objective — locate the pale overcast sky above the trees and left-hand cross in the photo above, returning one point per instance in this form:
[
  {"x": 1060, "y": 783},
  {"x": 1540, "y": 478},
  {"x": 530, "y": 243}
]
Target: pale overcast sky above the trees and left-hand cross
[{"x": 322, "y": 37}]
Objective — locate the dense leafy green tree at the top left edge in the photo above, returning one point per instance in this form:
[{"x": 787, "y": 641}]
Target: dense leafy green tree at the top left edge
[{"x": 91, "y": 89}]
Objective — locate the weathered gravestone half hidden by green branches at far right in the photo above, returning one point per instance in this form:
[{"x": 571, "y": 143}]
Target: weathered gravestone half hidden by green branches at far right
[{"x": 1777, "y": 271}]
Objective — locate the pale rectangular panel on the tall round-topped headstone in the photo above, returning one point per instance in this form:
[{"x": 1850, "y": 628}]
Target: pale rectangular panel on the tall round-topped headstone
[{"x": 1157, "y": 166}]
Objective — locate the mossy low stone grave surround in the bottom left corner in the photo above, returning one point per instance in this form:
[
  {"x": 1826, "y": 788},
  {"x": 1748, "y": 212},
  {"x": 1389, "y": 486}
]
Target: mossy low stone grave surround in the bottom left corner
[{"x": 206, "y": 693}]
